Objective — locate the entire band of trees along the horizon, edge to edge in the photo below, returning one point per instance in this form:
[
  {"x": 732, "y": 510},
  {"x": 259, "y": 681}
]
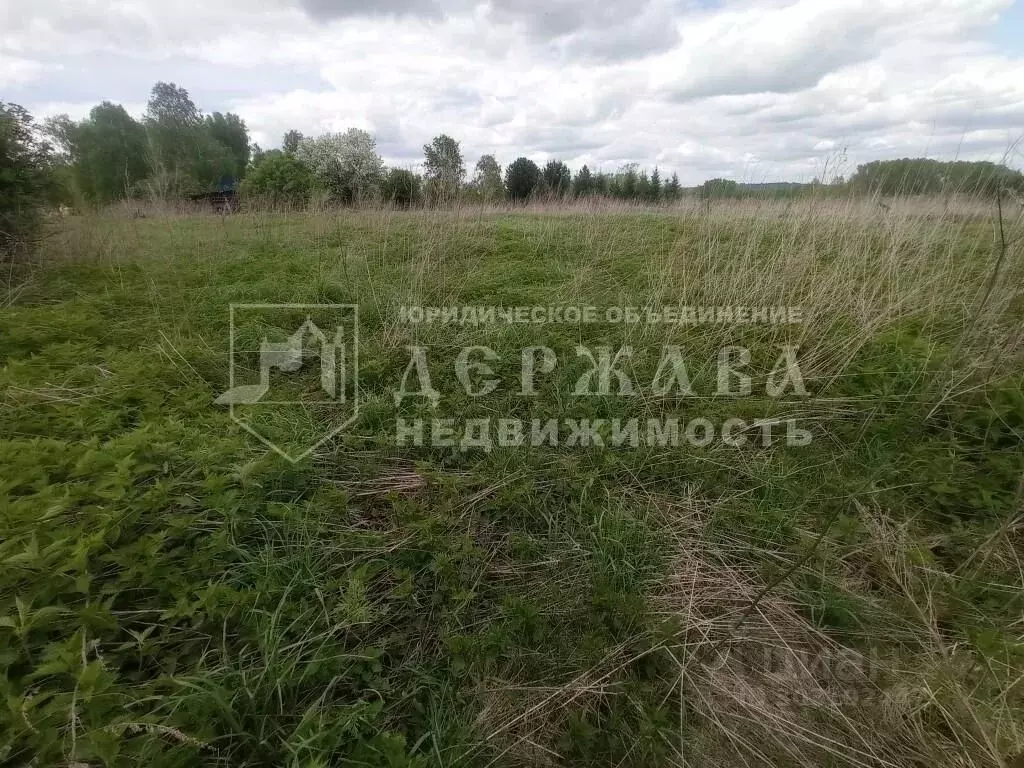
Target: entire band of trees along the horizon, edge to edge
[{"x": 176, "y": 151}]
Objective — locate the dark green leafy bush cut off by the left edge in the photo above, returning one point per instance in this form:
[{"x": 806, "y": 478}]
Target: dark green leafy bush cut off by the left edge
[{"x": 23, "y": 181}]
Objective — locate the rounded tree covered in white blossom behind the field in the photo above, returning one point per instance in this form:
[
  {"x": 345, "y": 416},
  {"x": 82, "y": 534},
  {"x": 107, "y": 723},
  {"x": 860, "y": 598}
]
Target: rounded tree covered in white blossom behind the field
[{"x": 348, "y": 164}]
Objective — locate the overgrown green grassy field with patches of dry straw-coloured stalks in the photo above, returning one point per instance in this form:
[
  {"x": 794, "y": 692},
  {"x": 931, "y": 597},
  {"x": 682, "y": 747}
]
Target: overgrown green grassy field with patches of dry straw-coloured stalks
[{"x": 173, "y": 593}]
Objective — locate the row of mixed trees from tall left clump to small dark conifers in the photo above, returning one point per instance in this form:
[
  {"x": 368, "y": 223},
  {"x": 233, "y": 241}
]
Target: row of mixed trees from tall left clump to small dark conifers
[{"x": 176, "y": 151}]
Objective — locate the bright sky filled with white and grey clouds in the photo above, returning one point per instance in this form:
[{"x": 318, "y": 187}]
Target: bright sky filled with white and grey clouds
[{"x": 748, "y": 90}]
